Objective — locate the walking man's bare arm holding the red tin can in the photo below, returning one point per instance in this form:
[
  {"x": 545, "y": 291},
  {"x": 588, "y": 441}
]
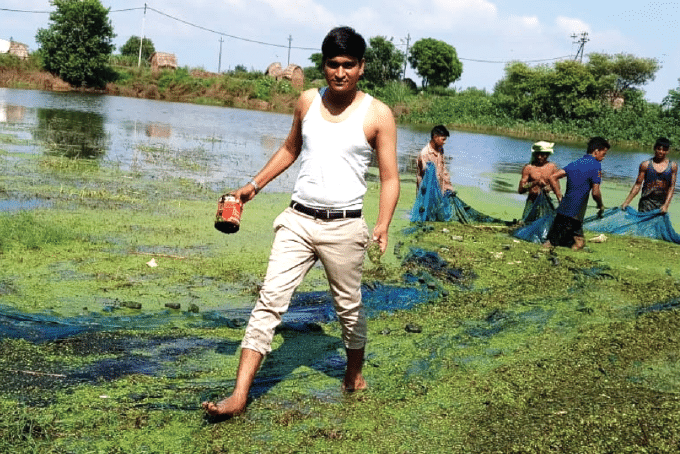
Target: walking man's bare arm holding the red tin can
[{"x": 285, "y": 156}]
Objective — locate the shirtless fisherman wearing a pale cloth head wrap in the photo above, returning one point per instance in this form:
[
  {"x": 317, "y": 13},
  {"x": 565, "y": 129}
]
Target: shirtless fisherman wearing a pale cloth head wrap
[{"x": 536, "y": 175}]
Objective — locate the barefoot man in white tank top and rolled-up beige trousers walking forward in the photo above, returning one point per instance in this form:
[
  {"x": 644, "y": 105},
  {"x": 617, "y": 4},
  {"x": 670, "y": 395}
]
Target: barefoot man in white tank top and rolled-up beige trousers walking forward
[{"x": 335, "y": 132}]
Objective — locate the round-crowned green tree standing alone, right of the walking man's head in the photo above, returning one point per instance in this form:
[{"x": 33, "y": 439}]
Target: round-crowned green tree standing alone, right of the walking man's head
[{"x": 436, "y": 62}]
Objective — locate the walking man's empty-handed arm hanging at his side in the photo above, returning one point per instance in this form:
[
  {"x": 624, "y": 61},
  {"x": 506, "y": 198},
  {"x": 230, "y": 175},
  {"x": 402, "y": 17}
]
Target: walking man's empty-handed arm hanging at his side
[{"x": 385, "y": 145}]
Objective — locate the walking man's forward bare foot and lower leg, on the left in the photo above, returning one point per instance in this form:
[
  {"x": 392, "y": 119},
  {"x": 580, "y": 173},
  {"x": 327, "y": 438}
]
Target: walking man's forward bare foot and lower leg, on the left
[{"x": 248, "y": 365}]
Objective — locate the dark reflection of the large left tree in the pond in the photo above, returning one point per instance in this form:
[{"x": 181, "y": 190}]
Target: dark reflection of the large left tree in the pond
[{"x": 71, "y": 133}]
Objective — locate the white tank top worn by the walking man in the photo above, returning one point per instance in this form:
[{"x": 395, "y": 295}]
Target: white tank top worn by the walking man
[{"x": 333, "y": 160}]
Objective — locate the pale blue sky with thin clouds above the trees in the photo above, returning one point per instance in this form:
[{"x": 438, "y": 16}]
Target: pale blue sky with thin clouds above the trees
[{"x": 485, "y": 33}]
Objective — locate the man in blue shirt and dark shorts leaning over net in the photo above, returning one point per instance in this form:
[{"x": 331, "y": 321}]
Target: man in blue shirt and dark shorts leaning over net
[{"x": 583, "y": 175}]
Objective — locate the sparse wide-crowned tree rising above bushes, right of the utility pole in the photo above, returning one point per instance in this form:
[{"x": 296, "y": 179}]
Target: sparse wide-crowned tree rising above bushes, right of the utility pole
[{"x": 619, "y": 73}]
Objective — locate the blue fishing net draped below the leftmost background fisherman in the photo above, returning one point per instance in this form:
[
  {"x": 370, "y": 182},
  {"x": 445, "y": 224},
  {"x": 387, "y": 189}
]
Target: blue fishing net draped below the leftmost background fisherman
[{"x": 432, "y": 205}]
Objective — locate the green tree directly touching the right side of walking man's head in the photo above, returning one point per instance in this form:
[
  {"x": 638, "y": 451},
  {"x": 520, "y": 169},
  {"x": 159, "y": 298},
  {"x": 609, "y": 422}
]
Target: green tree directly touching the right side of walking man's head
[{"x": 384, "y": 62}]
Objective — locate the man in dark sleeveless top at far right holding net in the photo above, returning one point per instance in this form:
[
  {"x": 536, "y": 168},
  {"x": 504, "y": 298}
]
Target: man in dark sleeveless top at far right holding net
[{"x": 657, "y": 178}]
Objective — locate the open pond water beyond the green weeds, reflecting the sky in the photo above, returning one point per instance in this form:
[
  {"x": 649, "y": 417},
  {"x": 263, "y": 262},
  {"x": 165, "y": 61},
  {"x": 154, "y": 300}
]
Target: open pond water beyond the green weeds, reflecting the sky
[{"x": 224, "y": 147}]
